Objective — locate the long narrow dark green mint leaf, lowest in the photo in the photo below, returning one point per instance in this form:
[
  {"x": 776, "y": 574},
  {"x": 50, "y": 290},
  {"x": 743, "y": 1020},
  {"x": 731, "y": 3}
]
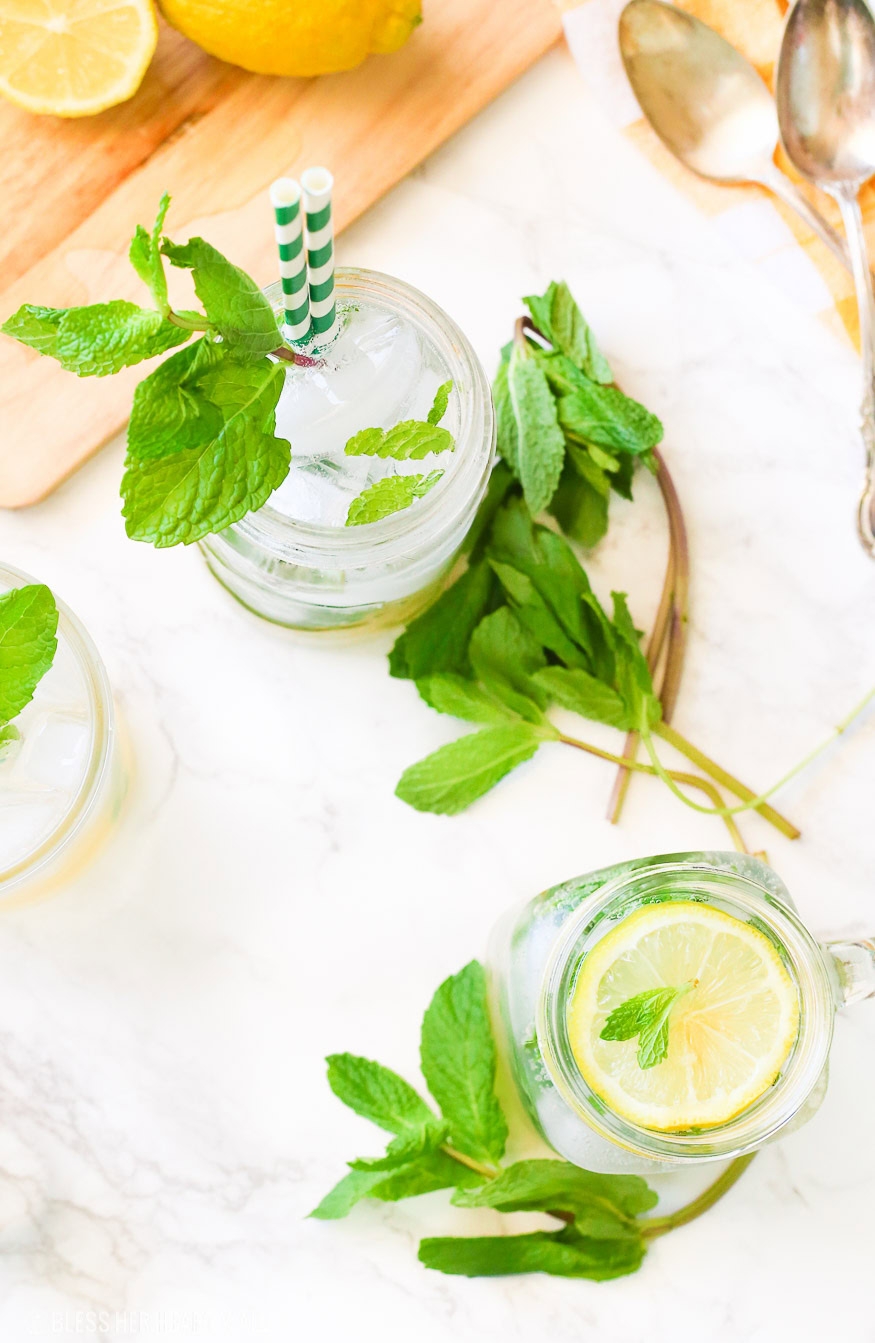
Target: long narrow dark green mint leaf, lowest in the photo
[{"x": 563, "y": 1254}]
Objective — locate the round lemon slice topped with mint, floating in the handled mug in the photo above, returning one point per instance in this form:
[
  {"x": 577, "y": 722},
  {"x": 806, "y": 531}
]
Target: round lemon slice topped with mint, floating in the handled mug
[{"x": 729, "y": 1033}]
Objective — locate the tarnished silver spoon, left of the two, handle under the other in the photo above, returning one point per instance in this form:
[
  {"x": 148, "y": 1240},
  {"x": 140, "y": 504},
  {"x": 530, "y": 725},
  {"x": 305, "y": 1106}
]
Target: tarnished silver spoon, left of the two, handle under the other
[{"x": 708, "y": 105}]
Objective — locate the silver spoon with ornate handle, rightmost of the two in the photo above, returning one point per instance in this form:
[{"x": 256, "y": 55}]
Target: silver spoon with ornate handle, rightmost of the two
[{"x": 826, "y": 93}]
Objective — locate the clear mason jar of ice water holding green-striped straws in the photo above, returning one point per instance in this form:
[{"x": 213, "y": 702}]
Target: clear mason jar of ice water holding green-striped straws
[{"x": 295, "y": 562}]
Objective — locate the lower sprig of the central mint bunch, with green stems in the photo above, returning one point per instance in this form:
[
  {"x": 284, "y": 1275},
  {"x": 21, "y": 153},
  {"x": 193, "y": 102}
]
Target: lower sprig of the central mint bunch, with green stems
[{"x": 519, "y": 633}]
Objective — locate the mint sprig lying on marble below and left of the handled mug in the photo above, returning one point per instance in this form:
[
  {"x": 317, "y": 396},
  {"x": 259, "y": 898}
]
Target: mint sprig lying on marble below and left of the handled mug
[{"x": 461, "y": 1146}]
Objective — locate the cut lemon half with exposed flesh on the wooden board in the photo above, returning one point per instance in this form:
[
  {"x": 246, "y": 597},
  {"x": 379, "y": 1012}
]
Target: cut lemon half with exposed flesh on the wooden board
[{"x": 72, "y": 58}]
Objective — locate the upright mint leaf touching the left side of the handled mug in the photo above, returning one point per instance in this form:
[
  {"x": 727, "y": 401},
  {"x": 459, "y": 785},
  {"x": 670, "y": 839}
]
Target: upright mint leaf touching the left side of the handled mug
[{"x": 458, "y": 1060}]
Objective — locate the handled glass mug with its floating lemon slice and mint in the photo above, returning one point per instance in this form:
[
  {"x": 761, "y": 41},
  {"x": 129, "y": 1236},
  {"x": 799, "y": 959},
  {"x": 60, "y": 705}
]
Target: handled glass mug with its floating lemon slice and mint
[{"x": 669, "y": 1012}]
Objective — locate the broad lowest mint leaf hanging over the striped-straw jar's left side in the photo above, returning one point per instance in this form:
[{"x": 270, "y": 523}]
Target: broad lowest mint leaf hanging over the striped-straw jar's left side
[{"x": 186, "y": 495}]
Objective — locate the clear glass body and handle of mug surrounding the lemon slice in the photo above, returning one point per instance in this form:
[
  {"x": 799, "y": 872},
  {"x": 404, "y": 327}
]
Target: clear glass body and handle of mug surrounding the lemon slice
[{"x": 535, "y": 958}]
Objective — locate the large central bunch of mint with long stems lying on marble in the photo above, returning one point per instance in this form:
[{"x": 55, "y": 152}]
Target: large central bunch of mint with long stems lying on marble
[{"x": 521, "y": 631}]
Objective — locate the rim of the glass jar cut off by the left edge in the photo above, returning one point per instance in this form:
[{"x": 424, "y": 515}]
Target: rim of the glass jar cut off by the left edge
[{"x": 100, "y": 751}]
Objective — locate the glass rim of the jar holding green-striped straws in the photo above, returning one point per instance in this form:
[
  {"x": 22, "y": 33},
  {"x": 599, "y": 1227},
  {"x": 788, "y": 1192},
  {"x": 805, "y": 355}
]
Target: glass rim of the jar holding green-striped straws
[{"x": 438, "y": 511}]
